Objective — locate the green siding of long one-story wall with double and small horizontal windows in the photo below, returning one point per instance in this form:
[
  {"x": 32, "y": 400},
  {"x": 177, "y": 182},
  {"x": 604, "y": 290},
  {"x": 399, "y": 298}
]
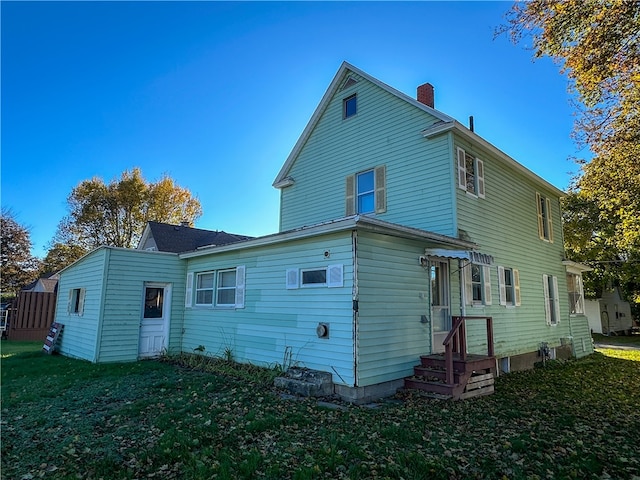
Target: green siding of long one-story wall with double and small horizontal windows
[{"x": 275, "y": 319}]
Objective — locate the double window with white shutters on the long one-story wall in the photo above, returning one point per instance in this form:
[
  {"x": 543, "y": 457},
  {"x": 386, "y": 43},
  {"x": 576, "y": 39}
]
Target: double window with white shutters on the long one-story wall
[{"x": 222, "y": 288}]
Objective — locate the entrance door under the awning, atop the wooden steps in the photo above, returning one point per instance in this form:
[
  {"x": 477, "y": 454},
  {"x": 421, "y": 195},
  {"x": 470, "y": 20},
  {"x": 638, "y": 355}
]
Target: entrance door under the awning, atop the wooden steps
[{"x": 440, "y": 310}]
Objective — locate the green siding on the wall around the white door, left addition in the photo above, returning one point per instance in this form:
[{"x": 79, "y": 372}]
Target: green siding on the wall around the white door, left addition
[{"x": 128, "y": 271}]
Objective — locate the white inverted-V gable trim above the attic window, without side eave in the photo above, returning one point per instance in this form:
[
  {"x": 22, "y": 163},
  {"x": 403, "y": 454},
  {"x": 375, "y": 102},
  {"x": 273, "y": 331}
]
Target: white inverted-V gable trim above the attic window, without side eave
[{"x": 344, "y": 70}]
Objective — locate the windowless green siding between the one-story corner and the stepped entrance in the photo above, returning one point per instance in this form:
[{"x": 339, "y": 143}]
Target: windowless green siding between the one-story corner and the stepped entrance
[{"x": 393, "y": 295}]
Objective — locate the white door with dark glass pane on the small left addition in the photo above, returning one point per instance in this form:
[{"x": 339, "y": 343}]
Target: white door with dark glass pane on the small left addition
[{"x": 154, "y": 326}]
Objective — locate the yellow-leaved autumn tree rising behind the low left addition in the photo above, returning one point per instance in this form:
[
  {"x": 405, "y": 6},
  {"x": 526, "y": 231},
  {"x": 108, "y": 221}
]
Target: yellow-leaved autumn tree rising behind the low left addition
[{"x": 115, "y": 214}]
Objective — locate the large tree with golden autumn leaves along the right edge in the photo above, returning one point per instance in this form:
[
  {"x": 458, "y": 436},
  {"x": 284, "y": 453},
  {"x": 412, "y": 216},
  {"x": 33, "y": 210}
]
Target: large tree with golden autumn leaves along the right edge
[{"x": 598, "y": 47}]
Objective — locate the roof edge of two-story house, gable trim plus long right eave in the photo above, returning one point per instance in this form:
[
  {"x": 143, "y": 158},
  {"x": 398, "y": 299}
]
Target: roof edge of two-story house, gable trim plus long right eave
[{"x": 445, "y": 124}]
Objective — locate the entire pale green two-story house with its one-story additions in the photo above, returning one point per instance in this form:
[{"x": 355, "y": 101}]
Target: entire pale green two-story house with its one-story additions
[{"x": 403, "y": 234}]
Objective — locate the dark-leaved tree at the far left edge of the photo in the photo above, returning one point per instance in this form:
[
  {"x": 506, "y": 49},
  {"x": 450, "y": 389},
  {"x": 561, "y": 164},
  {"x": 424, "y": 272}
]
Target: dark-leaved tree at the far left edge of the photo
[{"x": 18, "y": 267}]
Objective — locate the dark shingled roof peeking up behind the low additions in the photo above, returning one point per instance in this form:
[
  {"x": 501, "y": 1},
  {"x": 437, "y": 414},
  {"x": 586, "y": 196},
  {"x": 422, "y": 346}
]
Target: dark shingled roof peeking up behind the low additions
[{"x": 182, "y": 238}]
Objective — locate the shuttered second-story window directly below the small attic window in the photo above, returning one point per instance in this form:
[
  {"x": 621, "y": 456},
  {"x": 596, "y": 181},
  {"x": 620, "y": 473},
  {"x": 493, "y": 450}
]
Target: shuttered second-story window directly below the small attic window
[{"x": 366, "y": 192}]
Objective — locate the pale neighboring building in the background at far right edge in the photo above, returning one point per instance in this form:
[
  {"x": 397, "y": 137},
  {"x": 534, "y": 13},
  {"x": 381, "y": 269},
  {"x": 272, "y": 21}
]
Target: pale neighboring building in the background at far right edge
[{"x": 610, "y": 314}]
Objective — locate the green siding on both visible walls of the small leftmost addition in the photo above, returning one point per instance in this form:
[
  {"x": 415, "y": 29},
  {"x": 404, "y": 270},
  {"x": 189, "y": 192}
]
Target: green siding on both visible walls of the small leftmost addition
[{"x": 113, "y": 279}]
